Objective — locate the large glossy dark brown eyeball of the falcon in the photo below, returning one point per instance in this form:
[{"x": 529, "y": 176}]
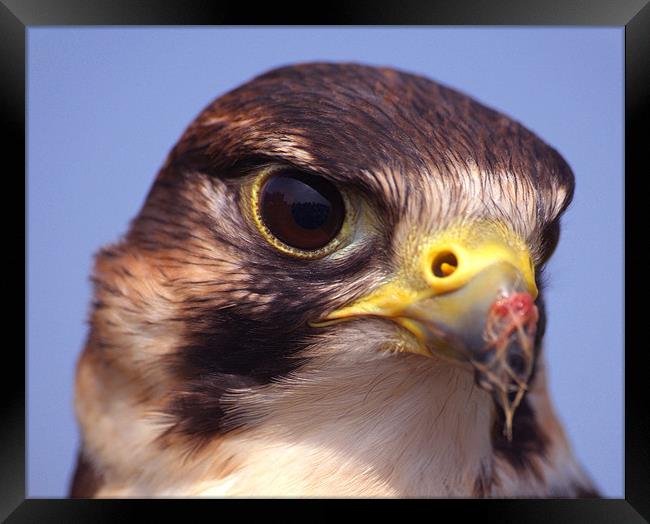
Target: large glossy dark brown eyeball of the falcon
[{"x": 303, "y": 211}]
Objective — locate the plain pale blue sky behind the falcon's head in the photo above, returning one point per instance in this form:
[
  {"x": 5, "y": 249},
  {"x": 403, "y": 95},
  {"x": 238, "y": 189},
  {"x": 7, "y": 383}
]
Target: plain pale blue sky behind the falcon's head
[{"x": 105, "y": 105}]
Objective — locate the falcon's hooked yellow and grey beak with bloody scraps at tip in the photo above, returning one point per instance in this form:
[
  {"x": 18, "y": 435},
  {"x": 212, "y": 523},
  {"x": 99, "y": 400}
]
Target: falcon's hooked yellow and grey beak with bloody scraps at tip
[{"x": 468, "y": 296}]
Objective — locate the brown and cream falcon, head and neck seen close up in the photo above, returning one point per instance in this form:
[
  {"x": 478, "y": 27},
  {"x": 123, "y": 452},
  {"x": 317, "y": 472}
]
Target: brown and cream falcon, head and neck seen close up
[{"x": 333, "y": 288}]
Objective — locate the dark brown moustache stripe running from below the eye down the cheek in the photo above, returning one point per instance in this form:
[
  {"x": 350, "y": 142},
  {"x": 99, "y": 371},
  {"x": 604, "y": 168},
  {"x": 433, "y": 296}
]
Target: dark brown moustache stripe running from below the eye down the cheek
[{"x": 240, "y": 347}]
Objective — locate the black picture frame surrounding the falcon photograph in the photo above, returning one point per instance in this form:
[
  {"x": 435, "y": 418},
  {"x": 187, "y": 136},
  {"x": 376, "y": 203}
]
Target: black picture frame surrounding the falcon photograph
[{"x": 634, "y": 15}]
